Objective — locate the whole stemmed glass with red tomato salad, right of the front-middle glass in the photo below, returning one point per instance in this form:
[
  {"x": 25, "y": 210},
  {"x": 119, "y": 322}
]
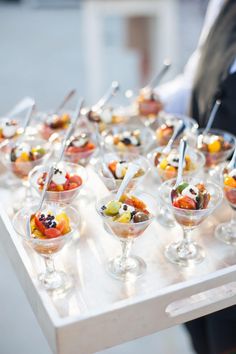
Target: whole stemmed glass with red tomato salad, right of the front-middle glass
[{"x": 191, "y": 202}]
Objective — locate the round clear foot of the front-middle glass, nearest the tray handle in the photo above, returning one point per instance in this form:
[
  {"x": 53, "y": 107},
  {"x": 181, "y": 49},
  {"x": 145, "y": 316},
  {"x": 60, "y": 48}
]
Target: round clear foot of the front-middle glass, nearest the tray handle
[{"x": 134, "y": 267}]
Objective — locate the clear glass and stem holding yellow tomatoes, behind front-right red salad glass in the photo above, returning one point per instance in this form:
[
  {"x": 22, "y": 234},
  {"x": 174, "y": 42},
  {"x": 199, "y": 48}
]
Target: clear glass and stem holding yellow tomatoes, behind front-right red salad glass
[{"x": 165, "y": 216}]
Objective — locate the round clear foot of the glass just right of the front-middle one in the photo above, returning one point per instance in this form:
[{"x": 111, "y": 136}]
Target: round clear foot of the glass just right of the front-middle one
[{"x": 184, "y": 254}]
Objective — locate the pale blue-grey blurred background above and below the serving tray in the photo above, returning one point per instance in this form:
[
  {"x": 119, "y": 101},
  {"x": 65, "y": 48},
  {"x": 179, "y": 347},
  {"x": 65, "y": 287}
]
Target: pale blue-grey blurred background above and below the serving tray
[{"x": 50, "y": 46}]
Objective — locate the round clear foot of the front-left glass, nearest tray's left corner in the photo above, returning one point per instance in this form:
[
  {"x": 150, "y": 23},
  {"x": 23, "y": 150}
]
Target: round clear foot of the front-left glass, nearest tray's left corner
[{"x": 58, "y": 282}]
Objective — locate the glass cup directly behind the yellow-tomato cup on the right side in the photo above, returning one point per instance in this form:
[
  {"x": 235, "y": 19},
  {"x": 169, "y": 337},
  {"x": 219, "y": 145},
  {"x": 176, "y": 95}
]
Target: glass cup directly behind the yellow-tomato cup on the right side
[{"x": 164, "y": 127}]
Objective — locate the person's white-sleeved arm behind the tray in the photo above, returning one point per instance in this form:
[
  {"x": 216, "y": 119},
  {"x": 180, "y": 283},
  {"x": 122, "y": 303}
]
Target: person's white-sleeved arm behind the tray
[{"x": 176, "y": 93}]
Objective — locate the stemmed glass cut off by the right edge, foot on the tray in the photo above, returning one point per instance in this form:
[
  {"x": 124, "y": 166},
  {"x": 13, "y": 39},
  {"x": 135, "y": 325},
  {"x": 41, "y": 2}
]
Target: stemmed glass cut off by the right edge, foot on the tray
[{"x": 226, "y": 232}]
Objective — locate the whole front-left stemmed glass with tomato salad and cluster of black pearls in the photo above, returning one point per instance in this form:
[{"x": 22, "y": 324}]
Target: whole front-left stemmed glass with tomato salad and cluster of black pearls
[{"x": 47, "y": 231}]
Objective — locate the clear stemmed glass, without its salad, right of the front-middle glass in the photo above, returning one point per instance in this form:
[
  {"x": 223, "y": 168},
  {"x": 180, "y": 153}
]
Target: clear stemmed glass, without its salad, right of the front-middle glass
[{"x": 187, "y": 252}]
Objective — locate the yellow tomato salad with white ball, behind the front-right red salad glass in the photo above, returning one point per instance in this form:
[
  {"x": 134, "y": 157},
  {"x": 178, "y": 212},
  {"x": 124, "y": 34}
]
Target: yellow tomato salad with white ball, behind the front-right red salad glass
[{"x": 167, "y": 165}]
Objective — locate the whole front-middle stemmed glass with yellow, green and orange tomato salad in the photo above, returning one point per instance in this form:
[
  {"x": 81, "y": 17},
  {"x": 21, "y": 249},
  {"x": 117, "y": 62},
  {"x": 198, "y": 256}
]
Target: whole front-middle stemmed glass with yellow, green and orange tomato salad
[{"x": 127, "y": 218}]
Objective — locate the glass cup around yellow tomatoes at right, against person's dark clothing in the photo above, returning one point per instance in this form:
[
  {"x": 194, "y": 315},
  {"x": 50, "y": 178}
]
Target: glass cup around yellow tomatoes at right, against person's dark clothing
[{"x": 215, "y": 158}]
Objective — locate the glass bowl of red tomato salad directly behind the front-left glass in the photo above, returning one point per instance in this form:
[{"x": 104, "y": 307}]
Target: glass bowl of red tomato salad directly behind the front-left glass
[{"x": 66, "y": 183}]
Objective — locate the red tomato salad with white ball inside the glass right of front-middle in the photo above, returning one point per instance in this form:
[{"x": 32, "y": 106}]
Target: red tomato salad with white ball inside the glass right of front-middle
[{"x": 190, "y": 196}]
